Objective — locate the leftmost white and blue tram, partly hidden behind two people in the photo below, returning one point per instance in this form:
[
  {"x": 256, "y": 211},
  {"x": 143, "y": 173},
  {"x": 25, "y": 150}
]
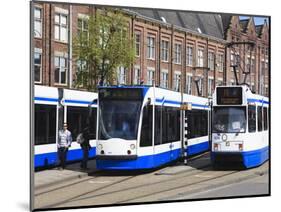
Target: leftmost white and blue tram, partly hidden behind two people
[{"x": 52, "y": 107}]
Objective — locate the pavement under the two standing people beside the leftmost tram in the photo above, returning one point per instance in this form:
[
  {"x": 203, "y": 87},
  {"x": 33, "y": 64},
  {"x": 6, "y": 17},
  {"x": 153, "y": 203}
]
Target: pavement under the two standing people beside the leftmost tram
[{"x": 53, "y": 176}]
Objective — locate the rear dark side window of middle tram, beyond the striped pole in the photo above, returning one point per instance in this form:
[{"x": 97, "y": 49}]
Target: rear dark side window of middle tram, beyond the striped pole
[{"x": 197, "y": 123}]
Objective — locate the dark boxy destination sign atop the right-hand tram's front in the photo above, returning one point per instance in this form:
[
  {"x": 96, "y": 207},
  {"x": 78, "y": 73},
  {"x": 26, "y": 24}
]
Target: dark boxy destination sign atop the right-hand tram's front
[{"x": 229, "y": 95}]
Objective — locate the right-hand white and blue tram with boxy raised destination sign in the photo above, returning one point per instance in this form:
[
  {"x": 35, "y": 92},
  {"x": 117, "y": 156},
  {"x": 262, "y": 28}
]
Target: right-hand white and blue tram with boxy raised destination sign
[{"x": 239, "y": 127}]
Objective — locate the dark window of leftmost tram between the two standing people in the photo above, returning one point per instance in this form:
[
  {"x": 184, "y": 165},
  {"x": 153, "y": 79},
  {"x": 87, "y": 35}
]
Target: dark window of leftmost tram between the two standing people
[{"x": 77, "y": 119}]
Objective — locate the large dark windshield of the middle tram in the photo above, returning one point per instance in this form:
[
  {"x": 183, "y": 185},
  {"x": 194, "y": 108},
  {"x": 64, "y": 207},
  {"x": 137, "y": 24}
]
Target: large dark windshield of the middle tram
[{"x": 119, "y": 119}]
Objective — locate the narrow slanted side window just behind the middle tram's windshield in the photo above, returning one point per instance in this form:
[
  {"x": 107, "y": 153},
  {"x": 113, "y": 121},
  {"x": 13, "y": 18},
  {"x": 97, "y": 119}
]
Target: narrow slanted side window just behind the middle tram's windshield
[{"x": 146, "y": 128}]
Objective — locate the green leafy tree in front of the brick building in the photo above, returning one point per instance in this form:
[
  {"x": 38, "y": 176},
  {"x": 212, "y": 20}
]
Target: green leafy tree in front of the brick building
[{"x": 99, "y": 50}]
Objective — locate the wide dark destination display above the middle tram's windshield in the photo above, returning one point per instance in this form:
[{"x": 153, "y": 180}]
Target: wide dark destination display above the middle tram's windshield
[{"x": 120, "y": 93}]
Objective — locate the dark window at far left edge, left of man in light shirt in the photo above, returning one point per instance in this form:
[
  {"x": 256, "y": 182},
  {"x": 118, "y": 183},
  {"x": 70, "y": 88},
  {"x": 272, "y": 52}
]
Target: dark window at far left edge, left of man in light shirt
[{"x": 45, "y": 124}]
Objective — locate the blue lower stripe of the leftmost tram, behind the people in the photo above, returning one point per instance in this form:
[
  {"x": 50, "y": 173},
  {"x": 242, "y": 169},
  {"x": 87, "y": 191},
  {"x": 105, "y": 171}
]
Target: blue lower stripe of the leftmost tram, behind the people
[{"x": 51, "y": 158}]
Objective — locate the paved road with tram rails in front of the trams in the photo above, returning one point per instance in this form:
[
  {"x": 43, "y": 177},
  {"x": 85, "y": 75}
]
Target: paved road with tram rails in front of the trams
[{"x": 197, "y": 180}]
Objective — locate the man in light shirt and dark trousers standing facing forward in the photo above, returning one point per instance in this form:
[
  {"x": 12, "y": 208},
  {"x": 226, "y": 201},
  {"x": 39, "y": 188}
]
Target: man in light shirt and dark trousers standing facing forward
[{"x": 64, "y": 143}]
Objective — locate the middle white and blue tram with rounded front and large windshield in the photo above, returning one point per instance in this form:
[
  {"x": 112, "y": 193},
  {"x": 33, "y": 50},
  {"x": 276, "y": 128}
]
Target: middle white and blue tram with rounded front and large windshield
[{"x": 140, "y": 127}]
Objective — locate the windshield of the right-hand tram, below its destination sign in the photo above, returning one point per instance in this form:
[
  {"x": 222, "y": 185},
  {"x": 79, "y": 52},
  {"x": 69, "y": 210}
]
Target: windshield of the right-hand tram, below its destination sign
[{"x": 229, "y": 119}]
